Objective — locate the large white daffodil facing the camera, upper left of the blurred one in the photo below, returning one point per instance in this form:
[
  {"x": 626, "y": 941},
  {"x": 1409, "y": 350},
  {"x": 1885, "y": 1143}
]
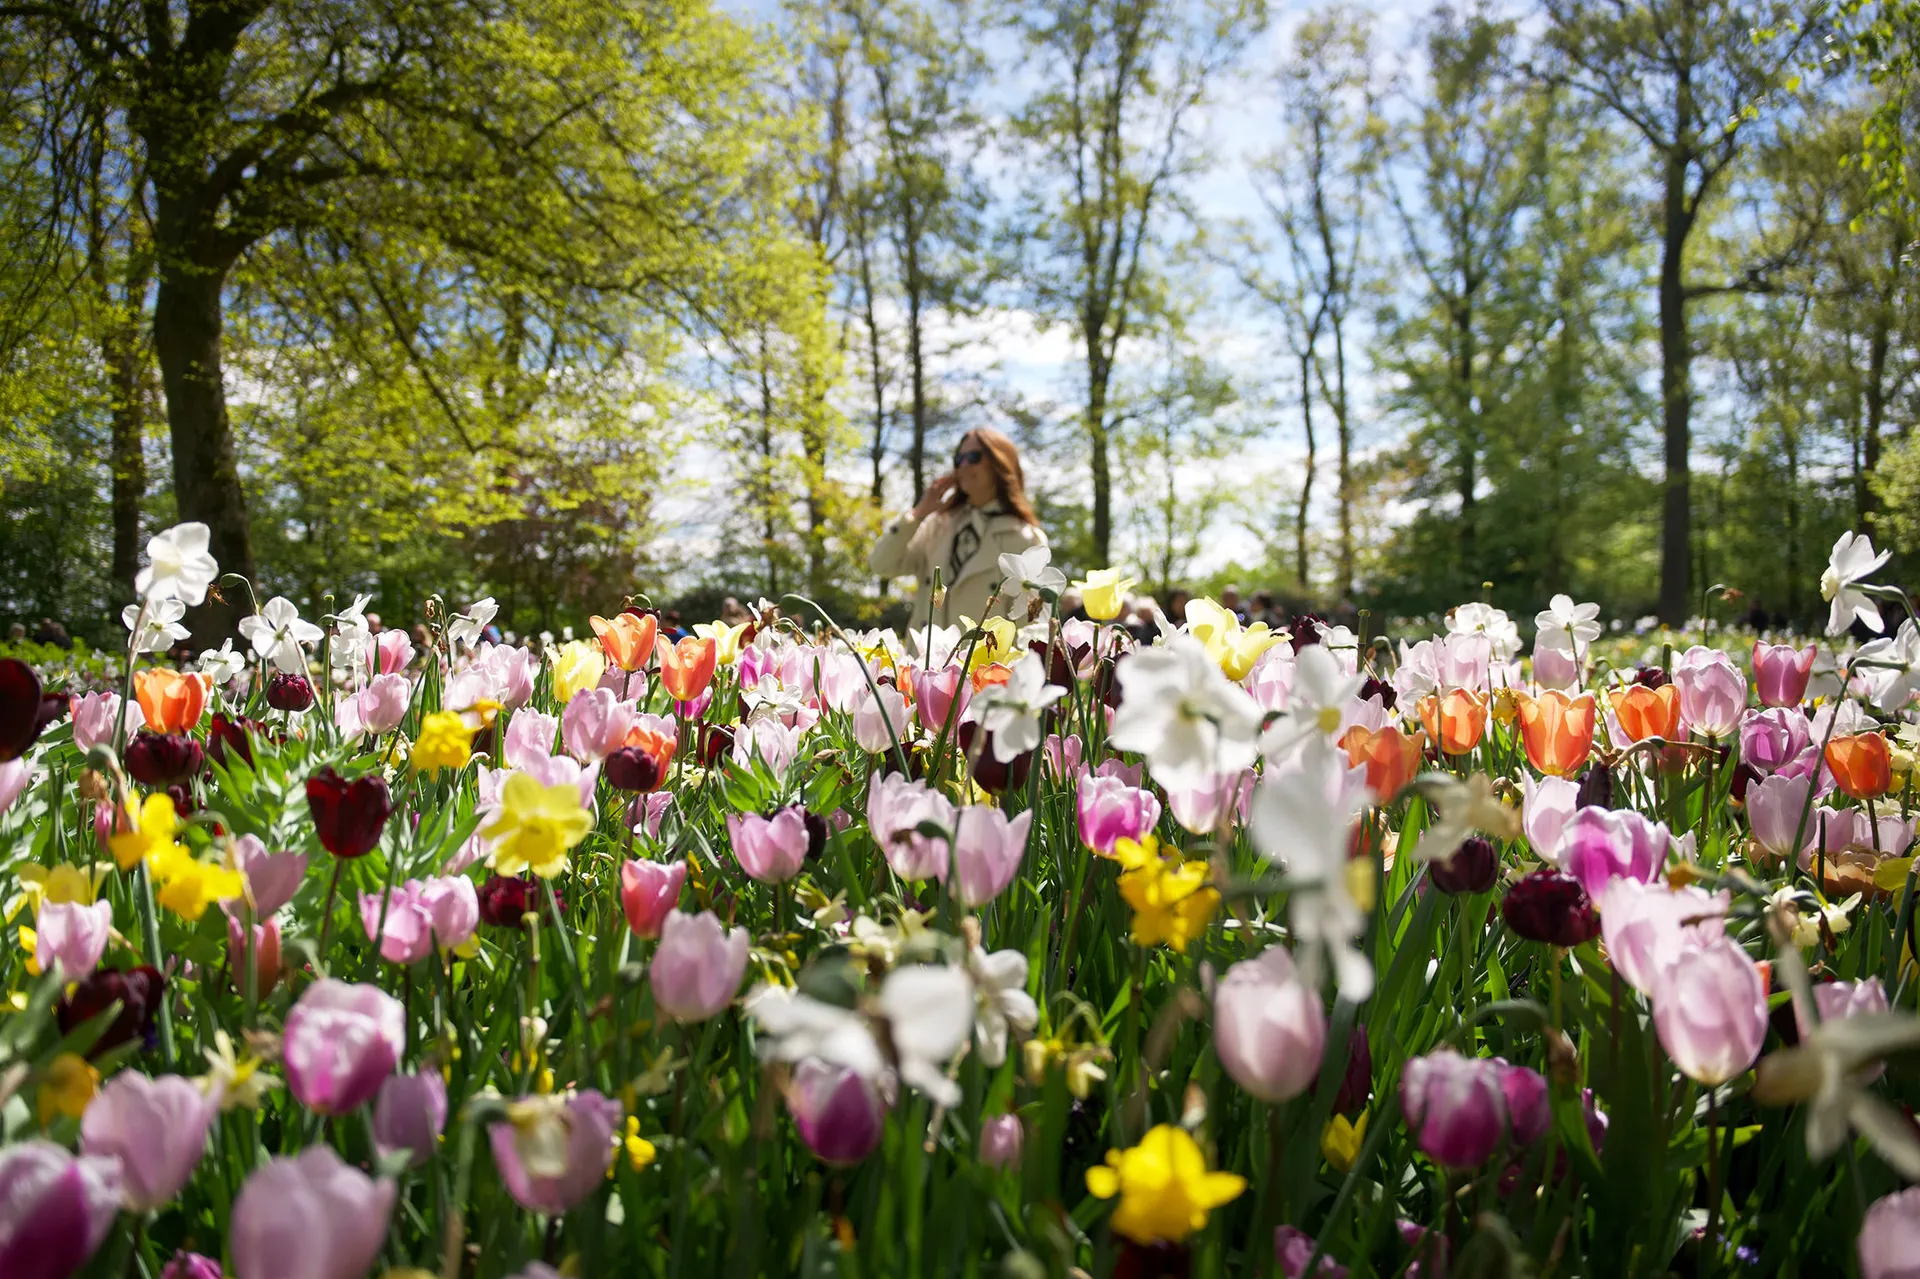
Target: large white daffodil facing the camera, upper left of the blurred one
[{"x": 1184, "y": 715}]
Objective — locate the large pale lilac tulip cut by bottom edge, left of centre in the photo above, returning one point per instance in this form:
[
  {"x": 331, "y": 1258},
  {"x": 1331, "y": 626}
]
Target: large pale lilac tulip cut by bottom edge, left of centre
[{"x": 310, "y": 1217}]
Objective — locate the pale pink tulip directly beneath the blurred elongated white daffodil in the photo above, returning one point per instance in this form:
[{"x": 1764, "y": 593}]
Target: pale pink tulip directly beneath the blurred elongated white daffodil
[{"x": 1270, "y": 1028}]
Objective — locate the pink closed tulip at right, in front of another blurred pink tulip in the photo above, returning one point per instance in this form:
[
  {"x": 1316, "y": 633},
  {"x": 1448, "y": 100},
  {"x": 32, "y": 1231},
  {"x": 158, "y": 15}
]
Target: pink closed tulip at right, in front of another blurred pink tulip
[{"x": 1710, "y": 1009}]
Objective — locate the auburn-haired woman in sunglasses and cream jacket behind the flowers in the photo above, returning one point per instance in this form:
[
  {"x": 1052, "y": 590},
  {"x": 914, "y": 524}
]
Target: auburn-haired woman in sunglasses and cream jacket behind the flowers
[{"x": 965, "y": 523}]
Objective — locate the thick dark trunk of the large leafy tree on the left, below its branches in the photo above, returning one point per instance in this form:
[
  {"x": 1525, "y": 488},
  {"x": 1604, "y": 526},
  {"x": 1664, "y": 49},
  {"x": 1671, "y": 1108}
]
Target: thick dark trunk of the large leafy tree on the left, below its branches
[{"x": 206, "y": 481}]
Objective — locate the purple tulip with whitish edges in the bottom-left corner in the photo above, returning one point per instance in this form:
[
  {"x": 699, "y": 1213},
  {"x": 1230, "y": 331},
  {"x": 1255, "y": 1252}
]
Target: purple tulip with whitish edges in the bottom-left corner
[{"x": 59, "y": 1209}]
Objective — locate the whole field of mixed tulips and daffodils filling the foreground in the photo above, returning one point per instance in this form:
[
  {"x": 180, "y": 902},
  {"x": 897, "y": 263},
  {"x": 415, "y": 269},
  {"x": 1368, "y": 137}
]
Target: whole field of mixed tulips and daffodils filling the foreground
[{"x": 1009, "y": 950}]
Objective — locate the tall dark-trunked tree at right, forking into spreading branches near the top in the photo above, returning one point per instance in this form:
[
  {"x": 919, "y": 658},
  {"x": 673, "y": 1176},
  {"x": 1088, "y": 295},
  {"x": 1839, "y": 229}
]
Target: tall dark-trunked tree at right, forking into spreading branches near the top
[{"x": 1692, "y": 82}]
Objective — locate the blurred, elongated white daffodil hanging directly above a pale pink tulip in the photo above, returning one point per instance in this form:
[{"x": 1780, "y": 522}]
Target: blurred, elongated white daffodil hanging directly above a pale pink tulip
[{"x": 1301, "y": 817}]
